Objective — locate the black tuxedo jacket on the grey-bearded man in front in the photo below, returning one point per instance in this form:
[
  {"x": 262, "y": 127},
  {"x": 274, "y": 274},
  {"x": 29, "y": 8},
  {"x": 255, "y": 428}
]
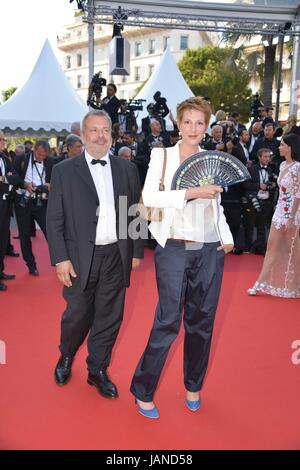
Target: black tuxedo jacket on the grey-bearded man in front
[{"x": 72, "y": 214}]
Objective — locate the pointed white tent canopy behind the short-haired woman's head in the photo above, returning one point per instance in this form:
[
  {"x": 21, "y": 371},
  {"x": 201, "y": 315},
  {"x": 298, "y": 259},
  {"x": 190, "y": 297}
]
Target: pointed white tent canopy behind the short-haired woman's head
[{"x": 168, "y": 80}]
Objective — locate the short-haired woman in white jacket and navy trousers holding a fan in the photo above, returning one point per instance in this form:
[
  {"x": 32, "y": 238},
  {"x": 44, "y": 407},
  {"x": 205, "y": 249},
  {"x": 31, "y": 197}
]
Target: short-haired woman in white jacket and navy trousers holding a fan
[{"x": 192, "y": 240}]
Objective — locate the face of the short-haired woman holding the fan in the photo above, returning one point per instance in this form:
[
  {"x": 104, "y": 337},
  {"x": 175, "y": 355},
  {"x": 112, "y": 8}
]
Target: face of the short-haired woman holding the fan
[{"x": 192, "y": 126}]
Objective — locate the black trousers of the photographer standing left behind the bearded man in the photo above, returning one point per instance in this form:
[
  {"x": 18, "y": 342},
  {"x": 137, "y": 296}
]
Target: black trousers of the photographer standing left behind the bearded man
[{"x": 24, "y": 216}]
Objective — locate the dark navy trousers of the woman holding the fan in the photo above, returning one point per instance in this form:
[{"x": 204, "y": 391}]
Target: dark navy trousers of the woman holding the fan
[{"x": 188, "y": 279}]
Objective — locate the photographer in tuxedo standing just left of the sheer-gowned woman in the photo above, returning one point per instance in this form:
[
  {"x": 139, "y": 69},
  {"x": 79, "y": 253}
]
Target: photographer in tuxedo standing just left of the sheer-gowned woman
[{"x": 260, "y": 192}]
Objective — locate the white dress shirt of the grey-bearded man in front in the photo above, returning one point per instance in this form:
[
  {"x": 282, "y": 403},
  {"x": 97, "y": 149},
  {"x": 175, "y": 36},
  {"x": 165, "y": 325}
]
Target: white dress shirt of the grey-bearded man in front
[{"x": 106, "y": 232}]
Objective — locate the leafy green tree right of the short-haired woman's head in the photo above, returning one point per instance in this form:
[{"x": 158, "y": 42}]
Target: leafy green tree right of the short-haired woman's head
[{"x": 210, "y": 72}]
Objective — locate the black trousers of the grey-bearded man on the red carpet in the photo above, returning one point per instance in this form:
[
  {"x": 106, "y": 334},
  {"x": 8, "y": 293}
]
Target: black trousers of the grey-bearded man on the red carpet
[{"x": 98, "y": 310}]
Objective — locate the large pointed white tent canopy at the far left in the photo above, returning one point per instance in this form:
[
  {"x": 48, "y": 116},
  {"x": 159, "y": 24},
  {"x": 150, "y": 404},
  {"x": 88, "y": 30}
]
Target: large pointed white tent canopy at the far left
[{"x": 47, "y": 102}]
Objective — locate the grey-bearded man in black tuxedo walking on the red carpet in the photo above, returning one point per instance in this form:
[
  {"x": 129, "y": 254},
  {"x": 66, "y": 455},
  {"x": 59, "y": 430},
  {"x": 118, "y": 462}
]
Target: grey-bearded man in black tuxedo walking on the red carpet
[{"x": 92, "y": 249}]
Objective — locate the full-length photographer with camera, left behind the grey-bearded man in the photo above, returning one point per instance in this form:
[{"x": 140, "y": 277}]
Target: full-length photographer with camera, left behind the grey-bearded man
[{"x": 34, "y": 170}]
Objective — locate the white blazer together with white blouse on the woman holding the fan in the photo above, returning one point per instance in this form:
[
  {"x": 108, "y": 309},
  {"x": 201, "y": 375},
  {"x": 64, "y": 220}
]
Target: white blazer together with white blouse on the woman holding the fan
[{"x": 200, "y": 220}]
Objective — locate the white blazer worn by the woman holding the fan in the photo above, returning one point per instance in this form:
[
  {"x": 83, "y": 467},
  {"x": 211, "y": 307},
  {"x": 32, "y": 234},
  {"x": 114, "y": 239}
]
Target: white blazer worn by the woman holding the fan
[{"x": 171, "y": 200}]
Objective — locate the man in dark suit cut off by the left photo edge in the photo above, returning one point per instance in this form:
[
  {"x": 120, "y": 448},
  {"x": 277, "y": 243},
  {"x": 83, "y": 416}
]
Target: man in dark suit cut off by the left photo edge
[{"x": 8, "y": 178}]
